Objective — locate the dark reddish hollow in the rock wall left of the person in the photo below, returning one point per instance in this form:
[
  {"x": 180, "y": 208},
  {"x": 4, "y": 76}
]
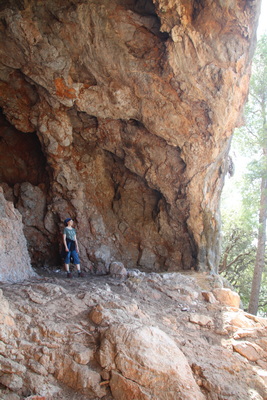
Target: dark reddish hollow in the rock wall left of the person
[{"x": 24, "y": 176}]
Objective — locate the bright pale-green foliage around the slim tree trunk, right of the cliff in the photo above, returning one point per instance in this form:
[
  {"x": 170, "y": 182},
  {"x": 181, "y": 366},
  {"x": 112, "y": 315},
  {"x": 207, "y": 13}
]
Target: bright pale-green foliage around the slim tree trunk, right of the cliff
[{"x": 240, "y": 227}]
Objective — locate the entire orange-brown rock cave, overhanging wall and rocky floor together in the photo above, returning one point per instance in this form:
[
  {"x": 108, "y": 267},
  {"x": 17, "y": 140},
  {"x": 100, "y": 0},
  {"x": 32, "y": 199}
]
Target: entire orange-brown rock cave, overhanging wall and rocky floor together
[{"x": 119, "y": 114}]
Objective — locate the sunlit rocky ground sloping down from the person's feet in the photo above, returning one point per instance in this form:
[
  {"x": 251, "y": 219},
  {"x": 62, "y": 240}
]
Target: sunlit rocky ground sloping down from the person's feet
[{"x": 138, "y": 336}]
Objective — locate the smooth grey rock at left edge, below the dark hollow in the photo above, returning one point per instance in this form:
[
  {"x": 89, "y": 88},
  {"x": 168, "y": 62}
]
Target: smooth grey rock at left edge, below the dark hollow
[{"x": 15, "y": 264}]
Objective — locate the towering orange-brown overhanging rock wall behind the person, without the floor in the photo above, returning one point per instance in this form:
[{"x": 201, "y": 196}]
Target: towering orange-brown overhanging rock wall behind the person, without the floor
[{"x": 134, "y": 103}]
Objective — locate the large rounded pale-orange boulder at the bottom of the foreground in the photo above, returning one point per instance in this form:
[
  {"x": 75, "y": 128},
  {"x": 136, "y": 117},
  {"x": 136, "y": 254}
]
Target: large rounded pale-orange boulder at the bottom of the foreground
[{"x": 145, "y": 363}]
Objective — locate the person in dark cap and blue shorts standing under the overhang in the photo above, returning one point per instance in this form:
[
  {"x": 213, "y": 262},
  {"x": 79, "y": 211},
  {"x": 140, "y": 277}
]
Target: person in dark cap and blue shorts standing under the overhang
[{"x": 71, "y": 247}]
